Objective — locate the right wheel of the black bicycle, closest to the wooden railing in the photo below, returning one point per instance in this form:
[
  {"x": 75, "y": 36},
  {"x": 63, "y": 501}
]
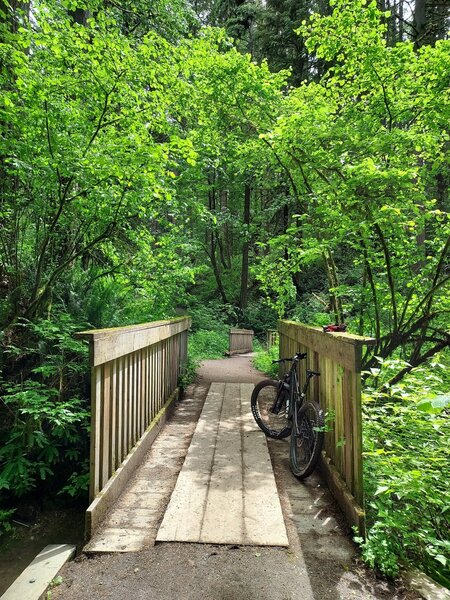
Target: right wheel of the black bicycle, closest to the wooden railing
[{"x": 307, "y": 440}]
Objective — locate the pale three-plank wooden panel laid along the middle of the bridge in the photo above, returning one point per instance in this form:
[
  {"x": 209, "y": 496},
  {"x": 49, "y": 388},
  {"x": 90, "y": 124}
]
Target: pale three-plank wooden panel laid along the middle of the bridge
[{"x": 226, "y": 491}]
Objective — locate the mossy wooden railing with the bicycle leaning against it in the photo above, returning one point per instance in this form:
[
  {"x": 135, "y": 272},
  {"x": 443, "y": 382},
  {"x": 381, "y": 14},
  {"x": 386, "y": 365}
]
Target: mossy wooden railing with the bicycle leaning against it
[{"x": 337, "y": 356}]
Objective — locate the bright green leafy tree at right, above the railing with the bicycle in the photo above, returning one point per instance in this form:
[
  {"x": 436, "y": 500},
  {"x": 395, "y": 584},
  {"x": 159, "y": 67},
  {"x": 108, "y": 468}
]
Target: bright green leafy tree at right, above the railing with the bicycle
[{"x": 337, "y": 139}]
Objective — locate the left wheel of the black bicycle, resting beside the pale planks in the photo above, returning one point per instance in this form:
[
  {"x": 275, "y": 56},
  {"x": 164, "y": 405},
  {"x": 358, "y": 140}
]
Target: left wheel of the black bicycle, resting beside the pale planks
[{"x": 263, "y": 398}]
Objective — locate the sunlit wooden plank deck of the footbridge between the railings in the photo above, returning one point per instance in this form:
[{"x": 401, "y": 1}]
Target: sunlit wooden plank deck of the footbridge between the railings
[{"x": 225, "y": 492}]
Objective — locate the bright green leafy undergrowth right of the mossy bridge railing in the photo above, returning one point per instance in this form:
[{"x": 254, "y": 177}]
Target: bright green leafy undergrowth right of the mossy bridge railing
[{"x": 406, "y": 472}]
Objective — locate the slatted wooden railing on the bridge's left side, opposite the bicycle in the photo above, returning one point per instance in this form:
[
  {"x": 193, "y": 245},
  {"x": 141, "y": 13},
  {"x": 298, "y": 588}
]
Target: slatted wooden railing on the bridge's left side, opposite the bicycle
[{"x": 134, "y": 379}]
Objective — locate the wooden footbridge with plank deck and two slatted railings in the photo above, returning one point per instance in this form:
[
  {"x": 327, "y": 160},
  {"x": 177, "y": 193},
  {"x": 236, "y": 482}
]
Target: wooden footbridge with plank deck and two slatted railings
[{"x": 227, "y": 470}]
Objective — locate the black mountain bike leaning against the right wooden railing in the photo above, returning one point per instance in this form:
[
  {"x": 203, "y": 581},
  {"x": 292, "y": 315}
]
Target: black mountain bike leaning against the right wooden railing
[{"x": 280, "y": 409}]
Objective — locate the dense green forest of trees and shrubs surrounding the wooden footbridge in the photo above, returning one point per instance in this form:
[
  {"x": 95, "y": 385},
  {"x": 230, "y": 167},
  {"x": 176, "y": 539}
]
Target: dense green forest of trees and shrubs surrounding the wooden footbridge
[{"x": 239, "y": 161}]
